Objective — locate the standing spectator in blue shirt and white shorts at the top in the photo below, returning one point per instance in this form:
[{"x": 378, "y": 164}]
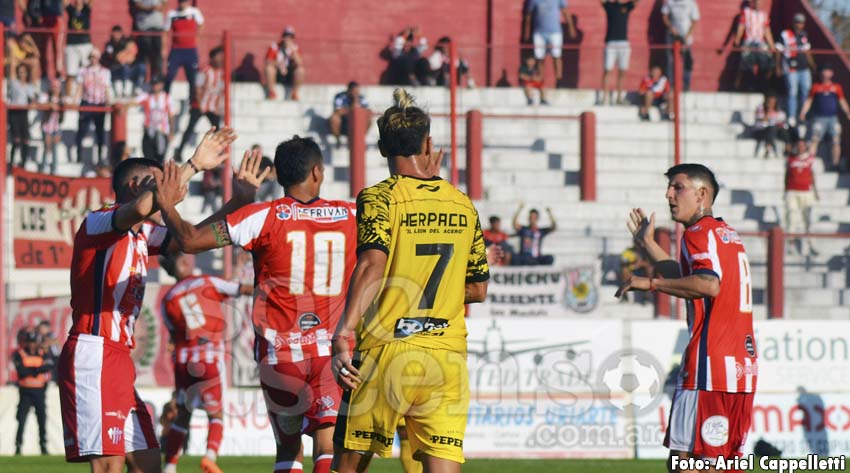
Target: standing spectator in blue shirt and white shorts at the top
[{"x": 547, "y": 33}]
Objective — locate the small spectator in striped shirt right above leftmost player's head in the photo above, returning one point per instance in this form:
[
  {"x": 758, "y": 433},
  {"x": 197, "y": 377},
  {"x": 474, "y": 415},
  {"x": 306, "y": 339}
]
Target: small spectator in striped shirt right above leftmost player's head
[{"x": 159, "y": 120}]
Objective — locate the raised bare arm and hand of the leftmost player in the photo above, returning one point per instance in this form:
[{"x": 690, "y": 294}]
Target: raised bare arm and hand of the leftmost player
[{"x": 208, "y": 155}]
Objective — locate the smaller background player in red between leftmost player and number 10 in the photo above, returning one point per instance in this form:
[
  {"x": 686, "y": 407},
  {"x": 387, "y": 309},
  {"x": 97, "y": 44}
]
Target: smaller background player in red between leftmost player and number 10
[{"x": 192, "y": 311}]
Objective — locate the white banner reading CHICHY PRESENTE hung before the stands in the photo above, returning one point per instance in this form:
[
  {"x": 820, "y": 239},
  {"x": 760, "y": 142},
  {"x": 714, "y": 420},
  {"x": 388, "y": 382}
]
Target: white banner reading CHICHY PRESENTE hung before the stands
[{"x": 544, "y": 291}]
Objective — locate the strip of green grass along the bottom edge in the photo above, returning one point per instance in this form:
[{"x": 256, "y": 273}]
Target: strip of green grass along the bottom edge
[{"x": 264, "y": 464}]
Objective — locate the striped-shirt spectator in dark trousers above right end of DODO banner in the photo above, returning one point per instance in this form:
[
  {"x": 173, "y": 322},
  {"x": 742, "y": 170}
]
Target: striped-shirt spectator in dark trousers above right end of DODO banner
[{"x": 94, "y": 89}]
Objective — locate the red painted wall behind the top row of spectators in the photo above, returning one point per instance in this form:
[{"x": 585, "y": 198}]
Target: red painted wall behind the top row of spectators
[{"x": 342, "y": 39}]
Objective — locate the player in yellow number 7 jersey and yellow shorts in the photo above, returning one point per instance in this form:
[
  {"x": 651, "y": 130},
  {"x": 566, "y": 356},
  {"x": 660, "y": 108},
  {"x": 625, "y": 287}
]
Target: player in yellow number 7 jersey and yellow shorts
[{"x": 421, "y": 257}]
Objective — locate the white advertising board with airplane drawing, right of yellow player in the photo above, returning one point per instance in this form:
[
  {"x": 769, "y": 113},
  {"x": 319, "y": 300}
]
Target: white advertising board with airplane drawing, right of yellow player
[{"x": 533, "y": 381}]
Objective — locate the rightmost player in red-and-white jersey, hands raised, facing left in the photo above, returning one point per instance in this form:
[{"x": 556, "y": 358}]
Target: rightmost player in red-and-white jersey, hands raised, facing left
[{"x": 712, "y": 406}]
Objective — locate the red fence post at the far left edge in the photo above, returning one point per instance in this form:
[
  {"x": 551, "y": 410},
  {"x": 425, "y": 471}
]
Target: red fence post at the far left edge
[{"x": 4, "y": 343}]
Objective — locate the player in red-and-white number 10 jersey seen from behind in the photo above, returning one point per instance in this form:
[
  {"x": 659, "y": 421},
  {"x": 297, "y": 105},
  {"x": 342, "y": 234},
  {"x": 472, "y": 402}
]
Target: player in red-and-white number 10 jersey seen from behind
[{"x": 304, "y": 252}]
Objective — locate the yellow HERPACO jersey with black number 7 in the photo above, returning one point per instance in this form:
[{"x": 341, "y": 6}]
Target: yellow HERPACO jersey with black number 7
[{"x": 434, "y": 244}]
